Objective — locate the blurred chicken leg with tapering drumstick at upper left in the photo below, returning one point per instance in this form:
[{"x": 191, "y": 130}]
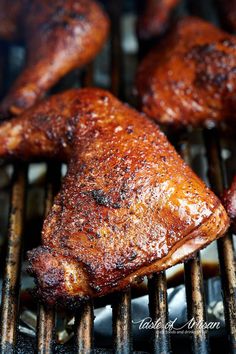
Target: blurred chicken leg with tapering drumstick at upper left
[{"x": 60, "y": 35}]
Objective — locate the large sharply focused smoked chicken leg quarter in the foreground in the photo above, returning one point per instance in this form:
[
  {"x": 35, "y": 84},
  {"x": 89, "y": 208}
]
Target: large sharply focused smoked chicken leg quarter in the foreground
[{"x": 128, "y": 206}]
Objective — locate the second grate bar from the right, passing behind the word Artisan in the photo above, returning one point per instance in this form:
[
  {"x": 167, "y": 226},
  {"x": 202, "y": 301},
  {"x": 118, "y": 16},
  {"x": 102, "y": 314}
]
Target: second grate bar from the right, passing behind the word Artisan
[{"x": 194, "y": 282}]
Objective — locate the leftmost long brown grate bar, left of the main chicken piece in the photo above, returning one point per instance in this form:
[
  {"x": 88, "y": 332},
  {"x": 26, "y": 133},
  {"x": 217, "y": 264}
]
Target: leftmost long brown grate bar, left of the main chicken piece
[{"x": 11, "y": 282}]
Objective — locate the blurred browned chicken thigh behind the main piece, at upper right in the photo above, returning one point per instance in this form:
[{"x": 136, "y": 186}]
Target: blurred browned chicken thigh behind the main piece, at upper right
[{"x": 190, "y": 78}]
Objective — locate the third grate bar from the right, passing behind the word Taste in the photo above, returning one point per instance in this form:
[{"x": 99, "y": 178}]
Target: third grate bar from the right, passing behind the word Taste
[{"x": 158, "y": 308}]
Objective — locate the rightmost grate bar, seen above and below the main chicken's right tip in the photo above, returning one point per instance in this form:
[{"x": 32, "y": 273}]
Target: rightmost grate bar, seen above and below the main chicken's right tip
[{"x": 225, "y": 244}]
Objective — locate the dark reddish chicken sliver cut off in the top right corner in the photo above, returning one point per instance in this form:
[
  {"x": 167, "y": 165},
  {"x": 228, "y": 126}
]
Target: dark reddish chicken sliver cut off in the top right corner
[{"x": 227, "y": 13}]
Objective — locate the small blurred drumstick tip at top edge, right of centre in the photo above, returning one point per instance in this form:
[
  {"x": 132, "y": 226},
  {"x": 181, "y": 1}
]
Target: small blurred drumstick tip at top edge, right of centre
[{"x": 156, "y": 17}]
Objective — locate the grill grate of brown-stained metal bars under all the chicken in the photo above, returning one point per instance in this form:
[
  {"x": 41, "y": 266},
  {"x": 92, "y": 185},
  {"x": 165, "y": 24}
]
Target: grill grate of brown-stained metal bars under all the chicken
[{"x": 158, "y": 306}]
